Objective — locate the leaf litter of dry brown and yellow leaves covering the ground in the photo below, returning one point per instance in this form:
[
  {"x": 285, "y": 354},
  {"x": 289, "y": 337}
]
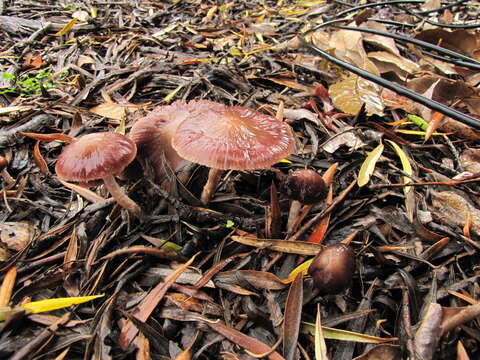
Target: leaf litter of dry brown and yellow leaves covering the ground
[{"x": 409, "y": 210}]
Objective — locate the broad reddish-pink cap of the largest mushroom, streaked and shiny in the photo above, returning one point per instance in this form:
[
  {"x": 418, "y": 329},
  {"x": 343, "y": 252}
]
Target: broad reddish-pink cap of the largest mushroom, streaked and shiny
[{"x": 231, "y": 137}]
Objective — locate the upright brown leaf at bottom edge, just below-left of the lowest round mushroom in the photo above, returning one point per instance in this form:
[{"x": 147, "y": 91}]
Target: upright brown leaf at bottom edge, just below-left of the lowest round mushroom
[{"x": 293, "y": 317}]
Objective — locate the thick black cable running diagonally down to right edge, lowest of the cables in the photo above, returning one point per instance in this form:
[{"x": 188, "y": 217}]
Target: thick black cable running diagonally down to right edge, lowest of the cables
[{"x": 432, "y": 104}]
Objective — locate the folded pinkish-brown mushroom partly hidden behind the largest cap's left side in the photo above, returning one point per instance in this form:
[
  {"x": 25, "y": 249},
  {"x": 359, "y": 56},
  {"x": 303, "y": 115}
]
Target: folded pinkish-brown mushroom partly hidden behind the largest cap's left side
[{"x": 153, "y": 134}]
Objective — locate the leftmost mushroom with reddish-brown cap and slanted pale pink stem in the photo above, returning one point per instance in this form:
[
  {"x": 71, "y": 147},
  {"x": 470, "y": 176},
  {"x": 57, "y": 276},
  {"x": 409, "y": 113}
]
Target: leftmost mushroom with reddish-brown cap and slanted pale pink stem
[{"x": 99, "y": 156}]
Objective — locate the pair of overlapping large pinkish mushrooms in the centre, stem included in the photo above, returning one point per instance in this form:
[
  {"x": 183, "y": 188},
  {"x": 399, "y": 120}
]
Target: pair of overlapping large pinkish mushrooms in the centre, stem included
[{"x": 211, "y": 134}]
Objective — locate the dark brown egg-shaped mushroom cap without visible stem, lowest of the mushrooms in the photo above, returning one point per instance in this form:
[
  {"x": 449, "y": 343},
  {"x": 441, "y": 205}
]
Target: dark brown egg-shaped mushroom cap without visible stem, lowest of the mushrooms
[{"x": 332, "y": 269}]
